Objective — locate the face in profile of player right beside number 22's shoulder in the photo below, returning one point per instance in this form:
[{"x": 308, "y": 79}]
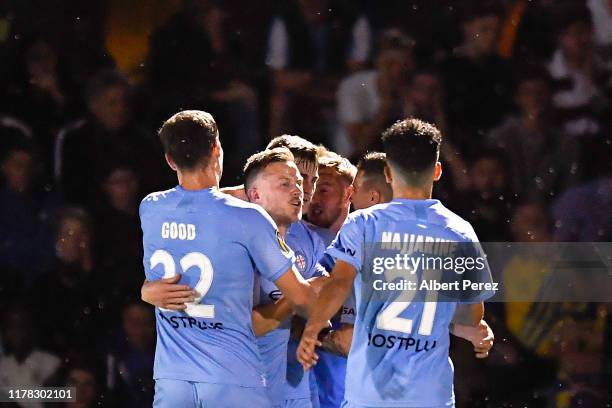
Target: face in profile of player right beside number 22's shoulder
[{"x": 279, "y": 192}]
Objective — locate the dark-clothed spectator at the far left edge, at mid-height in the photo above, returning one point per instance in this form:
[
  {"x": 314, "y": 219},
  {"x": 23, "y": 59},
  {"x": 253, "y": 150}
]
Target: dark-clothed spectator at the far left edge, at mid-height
[{"x": 26, "y": 210}]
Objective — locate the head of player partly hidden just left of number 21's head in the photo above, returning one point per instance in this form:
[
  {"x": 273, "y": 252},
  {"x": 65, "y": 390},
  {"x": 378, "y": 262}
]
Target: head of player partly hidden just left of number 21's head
[{"x": 370, "y": 186}]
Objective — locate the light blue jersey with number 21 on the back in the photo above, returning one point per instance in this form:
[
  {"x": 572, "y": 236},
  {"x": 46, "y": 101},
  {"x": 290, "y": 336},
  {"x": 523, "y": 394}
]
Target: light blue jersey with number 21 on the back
[{"x": 390, "y": 365}]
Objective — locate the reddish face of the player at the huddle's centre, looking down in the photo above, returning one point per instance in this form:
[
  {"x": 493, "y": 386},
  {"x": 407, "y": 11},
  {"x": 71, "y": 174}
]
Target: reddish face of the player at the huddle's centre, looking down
[{"x": 327, "y": 201}]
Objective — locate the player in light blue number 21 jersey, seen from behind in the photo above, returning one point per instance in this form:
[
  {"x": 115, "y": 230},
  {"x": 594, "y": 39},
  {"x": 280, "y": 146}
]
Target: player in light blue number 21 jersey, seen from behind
[{"x": 398, "y": 374}]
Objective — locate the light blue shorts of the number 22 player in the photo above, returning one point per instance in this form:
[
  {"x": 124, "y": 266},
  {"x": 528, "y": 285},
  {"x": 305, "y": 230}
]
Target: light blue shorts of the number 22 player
[{"x": 187, "y": 394}]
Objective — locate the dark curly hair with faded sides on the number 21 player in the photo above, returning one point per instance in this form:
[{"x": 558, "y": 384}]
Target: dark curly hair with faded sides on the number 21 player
[{"x": 412, "y": 147}]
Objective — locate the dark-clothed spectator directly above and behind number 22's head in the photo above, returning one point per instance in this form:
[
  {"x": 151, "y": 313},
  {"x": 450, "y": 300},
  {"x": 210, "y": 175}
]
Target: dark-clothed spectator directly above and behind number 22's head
[{"x": 216, "y": 76}]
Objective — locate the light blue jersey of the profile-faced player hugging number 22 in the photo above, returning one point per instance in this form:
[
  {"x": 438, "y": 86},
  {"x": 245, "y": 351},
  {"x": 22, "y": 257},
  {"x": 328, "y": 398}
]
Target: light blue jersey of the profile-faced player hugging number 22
[{"x": 273, "y": 346}]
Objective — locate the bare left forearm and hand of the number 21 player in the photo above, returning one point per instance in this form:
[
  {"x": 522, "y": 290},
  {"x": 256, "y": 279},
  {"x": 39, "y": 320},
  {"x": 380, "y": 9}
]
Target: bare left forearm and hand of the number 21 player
[{"x": 330, "y": 300}]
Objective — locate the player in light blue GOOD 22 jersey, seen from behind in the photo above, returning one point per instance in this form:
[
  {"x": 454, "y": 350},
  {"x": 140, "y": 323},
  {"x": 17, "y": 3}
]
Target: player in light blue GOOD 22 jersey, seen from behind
[{"x": 207, "y": 354}]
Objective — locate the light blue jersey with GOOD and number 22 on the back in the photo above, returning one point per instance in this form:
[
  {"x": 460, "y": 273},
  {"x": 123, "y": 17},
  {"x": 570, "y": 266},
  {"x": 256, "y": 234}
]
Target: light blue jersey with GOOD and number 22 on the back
[{"x": 216, "y": 243}]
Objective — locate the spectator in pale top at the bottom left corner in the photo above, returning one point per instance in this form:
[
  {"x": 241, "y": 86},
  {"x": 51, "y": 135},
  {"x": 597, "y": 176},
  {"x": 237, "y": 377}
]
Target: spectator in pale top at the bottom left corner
[{"x": 24, "y": 365}]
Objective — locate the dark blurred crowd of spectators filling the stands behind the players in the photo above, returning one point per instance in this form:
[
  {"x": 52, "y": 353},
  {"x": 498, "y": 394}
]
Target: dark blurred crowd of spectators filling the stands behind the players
[{"x": 522, "y": 91}]
